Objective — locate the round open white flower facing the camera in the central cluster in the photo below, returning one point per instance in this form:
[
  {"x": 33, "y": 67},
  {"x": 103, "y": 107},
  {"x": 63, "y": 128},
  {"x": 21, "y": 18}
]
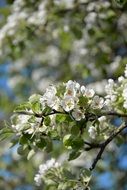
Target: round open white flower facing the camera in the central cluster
[{"x": 68, "y": 103}]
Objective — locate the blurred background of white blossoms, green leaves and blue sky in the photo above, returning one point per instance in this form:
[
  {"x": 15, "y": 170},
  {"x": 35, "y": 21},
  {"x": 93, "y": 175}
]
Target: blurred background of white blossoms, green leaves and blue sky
[{"x": 46, "y": 42}]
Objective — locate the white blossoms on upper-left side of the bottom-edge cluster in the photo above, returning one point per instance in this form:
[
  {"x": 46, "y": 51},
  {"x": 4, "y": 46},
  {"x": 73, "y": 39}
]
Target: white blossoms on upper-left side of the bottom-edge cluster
[{"x": 43, "y": 168}]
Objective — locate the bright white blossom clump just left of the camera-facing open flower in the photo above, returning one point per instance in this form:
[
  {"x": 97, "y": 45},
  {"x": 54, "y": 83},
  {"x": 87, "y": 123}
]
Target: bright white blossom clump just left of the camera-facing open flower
[{"x": 50, "y": 98}]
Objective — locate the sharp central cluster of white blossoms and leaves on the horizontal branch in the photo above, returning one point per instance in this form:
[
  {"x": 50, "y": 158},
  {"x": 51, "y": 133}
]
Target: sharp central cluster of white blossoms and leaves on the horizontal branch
[{"x": 70, "y": 99}]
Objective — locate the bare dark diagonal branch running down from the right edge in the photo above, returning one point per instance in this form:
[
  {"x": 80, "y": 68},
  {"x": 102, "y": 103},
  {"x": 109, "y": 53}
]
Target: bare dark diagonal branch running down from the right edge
[{"x": 104, "y": 144}]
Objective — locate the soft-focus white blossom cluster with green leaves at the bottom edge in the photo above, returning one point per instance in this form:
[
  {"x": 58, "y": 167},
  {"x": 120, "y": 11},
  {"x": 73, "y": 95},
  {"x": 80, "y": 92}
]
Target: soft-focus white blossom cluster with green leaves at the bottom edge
[{"x": 52, "y": 173}]
